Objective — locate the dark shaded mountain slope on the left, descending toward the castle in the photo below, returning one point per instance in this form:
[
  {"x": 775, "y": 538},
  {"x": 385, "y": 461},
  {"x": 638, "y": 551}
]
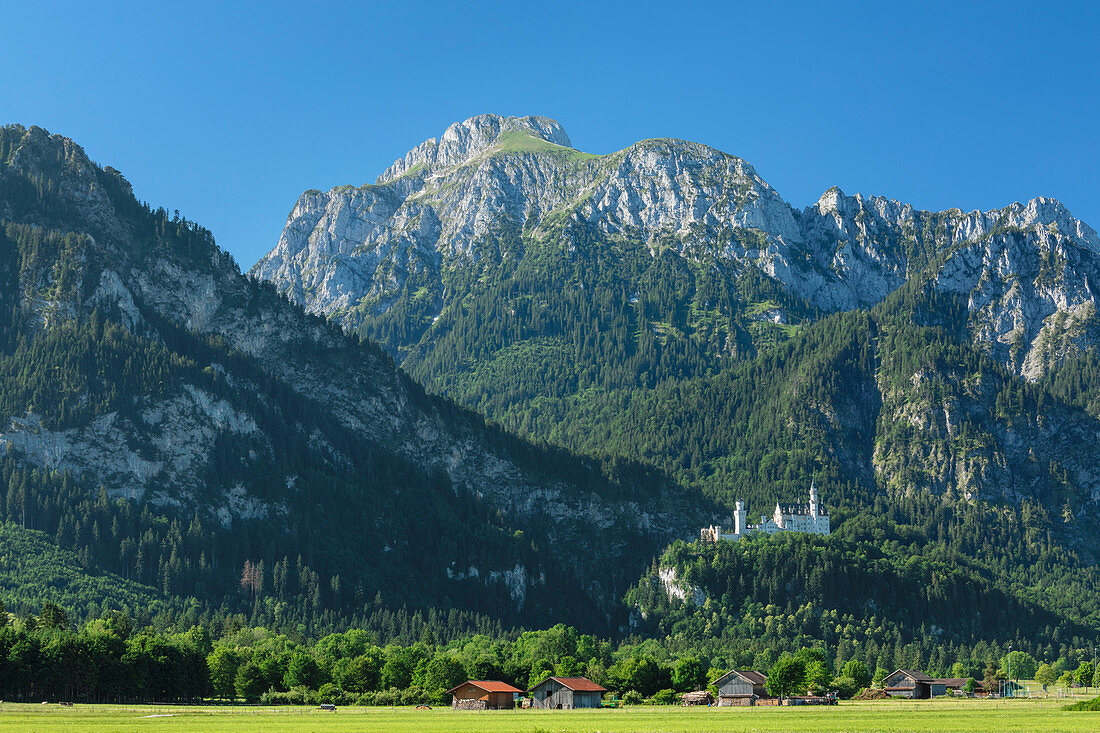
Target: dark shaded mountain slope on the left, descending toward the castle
[{"x": 141, "y": 366}]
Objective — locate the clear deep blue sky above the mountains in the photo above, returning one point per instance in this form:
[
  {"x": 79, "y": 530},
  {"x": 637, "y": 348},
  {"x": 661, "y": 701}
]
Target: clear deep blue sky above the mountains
[{"x": 228, "y": 112}]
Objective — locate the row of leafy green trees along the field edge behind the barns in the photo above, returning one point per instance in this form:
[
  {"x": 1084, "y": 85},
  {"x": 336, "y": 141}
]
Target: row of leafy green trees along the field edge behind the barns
[{"x": 112, "y": 659}]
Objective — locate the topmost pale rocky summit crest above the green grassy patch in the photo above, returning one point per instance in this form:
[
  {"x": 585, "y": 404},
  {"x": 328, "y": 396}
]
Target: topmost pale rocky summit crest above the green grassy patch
[{"x": 464, "y": 141}]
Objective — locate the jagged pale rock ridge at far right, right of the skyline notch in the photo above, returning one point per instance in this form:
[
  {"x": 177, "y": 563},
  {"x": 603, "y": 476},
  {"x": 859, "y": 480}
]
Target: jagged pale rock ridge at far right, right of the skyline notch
[{"x": 1025, "y": 272}]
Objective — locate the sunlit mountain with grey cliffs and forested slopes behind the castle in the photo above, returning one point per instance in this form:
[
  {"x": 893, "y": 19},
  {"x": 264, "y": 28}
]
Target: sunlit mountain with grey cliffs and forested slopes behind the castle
[{"x": 665, "y": 303}]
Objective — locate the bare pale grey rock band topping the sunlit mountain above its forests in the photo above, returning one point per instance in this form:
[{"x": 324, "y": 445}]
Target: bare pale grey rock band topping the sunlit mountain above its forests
[{"x": 1026, "y": 271}]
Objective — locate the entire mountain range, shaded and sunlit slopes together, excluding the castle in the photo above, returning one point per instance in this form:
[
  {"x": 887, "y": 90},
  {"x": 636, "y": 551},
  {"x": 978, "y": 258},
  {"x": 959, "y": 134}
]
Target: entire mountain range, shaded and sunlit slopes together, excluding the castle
[{"x": 509, "y": 378}]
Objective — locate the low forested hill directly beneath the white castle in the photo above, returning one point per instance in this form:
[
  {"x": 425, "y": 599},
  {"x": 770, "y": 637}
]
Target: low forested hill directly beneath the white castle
[{"x": 780, "y": 594}]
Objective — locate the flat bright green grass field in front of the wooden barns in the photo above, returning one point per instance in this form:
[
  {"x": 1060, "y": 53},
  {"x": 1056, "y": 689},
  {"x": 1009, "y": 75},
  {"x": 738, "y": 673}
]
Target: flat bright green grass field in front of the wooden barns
[{"x": 1016, "y": 716}]
